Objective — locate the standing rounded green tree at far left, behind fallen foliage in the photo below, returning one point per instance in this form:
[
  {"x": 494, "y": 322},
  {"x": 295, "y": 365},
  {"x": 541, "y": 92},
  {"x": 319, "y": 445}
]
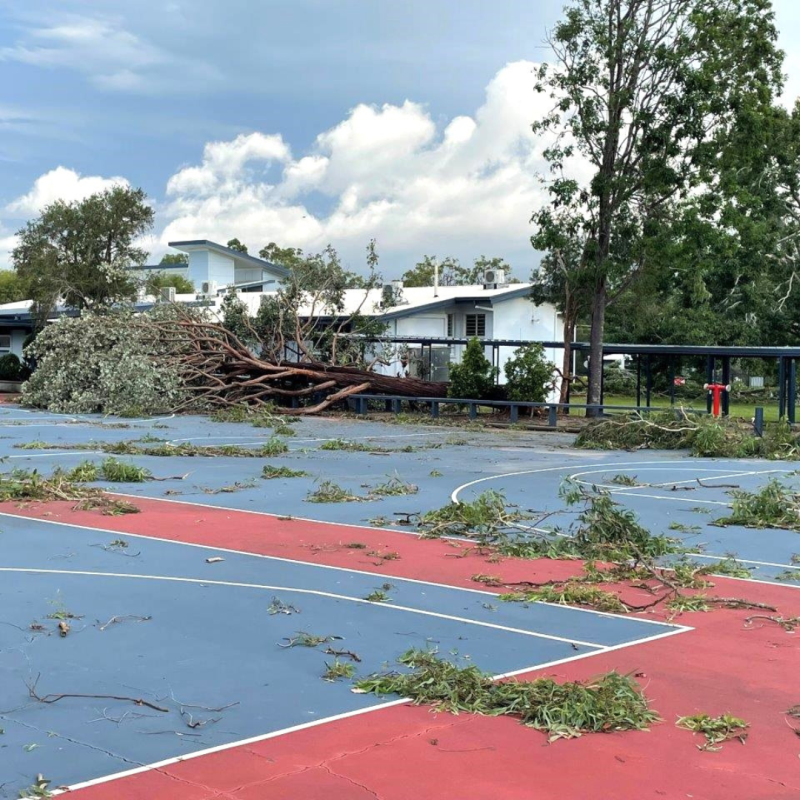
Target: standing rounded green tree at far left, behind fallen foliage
[{"x": 80, "y": 251}]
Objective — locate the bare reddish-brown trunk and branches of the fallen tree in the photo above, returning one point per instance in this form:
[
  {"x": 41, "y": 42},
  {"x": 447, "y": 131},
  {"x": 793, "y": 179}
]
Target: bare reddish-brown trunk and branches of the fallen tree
[{"x": 219, "y": 370}]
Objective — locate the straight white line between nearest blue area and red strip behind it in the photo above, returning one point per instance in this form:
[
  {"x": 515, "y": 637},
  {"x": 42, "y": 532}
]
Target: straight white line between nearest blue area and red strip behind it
[{"x": 212, "y": 549}]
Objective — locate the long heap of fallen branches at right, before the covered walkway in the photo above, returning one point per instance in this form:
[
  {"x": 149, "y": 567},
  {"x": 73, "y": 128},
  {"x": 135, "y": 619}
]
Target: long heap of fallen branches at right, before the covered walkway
[{"x": 681, "y": 430}]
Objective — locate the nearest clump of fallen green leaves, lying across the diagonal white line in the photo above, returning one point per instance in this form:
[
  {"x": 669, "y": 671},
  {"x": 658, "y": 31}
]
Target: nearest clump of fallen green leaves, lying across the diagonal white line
[{"x": 610, "y": 702}]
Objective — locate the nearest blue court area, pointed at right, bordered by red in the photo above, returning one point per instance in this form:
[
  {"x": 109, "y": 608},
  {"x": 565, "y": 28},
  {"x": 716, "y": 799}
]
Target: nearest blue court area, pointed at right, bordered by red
[{"x": 202, "y": 641}]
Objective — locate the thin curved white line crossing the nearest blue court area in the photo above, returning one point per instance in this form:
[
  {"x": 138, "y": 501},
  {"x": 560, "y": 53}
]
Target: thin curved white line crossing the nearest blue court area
[{"x": 296, "y": 590}]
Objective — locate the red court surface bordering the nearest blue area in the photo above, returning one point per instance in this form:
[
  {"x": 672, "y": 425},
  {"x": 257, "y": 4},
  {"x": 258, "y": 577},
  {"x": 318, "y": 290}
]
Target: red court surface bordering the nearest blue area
[{"x": 403, "y": 752}]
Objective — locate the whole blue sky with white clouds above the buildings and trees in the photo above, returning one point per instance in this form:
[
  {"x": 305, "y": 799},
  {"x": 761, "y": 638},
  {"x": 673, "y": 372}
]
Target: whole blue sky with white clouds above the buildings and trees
[{"x": 285, "y": 120}]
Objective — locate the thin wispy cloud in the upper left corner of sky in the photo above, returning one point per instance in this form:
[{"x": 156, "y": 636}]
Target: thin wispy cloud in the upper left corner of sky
[{"x": 110, "y": 56}]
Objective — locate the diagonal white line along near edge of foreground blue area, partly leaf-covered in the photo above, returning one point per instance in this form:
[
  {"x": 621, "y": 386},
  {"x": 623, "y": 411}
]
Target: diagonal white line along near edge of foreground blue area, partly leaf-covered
[{"x": 346, "y": 715}]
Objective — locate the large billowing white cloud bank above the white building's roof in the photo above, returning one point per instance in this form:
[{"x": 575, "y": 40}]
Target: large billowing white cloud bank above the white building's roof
[{"x": 465, "y": 188}]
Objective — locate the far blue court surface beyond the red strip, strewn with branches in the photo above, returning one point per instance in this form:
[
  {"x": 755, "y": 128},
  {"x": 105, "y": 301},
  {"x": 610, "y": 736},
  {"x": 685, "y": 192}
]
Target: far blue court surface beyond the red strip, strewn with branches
[{"x": 444, "y": 463}]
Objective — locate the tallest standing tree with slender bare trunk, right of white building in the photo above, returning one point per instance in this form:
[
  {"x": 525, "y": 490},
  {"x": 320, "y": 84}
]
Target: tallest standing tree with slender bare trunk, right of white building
[{"x": 642, "y": 91}]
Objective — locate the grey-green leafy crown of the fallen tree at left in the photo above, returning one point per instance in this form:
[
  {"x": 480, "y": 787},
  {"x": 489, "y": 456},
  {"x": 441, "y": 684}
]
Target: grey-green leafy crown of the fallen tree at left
[{"x": 102, "y": 364}]
